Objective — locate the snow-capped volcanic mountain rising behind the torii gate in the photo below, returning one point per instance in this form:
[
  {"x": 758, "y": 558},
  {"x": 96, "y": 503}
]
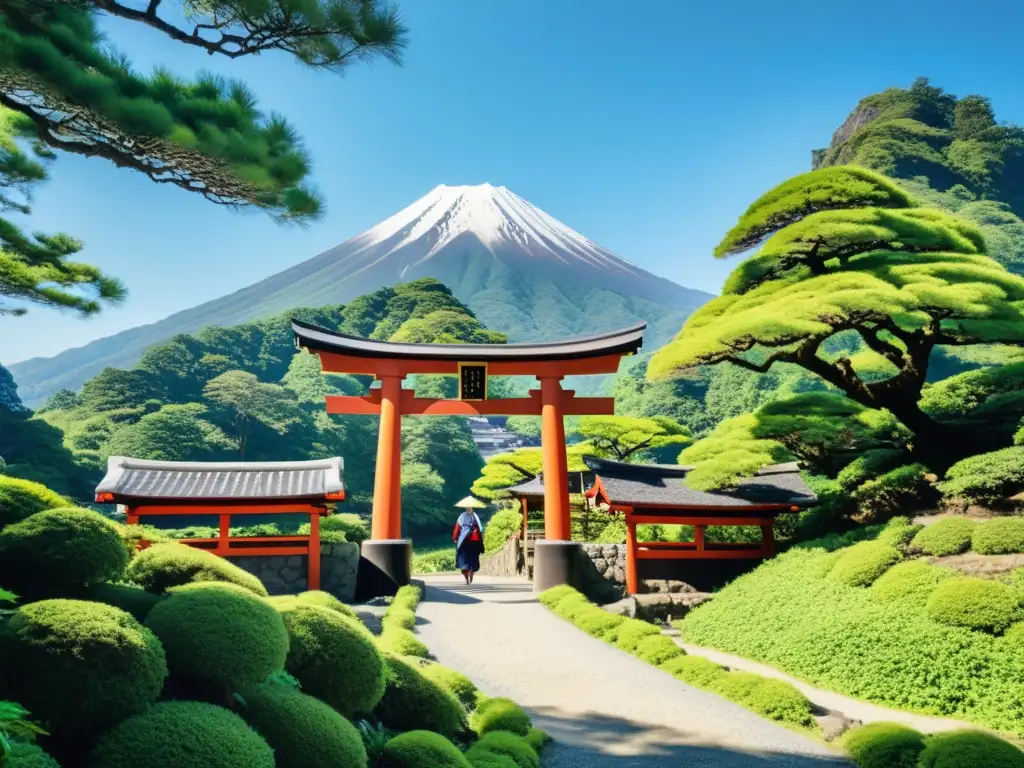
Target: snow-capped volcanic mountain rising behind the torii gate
[{"x": 521, "y": 270}]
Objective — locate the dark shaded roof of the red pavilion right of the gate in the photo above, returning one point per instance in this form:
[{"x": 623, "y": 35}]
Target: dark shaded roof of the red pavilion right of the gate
[{"x": 641, "y": 485}]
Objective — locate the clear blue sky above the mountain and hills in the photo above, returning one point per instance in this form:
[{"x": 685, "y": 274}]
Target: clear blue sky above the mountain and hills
[{"x": 648, "y": 131}]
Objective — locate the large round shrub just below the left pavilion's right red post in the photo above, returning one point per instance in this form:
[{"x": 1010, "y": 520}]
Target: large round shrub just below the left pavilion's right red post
[{"x": 334, "y": 659}]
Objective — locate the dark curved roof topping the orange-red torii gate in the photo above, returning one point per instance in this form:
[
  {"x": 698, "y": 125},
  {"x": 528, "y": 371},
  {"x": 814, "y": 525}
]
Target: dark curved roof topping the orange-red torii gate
[{"x": 626, "y": 342}]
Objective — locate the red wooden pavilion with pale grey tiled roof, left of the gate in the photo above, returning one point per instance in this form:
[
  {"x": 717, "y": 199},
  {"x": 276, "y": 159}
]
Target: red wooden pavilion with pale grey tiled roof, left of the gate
[{"x": 150, "y": 489}]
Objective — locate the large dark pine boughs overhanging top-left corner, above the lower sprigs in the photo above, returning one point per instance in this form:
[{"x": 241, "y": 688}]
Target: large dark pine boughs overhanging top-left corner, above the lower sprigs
[{"x": 205, "y": 137}]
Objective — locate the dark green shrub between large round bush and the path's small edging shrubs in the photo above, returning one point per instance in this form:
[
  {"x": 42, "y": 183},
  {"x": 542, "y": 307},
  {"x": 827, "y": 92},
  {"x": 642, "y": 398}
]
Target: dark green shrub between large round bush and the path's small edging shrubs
[{"x": 412, "y": 702}]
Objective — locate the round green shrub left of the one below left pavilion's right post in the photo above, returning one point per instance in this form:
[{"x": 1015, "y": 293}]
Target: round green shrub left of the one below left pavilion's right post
[{"x": 221, "y": 632}]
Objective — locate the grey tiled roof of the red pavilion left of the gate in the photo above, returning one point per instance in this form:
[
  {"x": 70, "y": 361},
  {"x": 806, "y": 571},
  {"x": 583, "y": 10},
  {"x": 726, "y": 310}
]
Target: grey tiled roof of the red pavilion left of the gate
[{"x": 137, "y": 479}]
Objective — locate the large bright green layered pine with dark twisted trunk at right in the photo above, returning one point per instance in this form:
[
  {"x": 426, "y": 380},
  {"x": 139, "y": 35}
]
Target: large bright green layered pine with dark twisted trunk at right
[{"x": 900, "y": 280}]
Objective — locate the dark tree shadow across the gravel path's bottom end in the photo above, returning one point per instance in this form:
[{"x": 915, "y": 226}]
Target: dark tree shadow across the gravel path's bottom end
[{"x": 595, "y": 741}]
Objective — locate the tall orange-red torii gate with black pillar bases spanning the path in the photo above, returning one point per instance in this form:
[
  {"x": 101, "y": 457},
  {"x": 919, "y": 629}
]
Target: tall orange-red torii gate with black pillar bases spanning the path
[{"x": 391, "y": 363}]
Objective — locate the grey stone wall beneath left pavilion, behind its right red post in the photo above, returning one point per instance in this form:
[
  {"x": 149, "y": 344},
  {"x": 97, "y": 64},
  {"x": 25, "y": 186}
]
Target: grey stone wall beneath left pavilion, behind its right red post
[{"x": 288, "y": 575}]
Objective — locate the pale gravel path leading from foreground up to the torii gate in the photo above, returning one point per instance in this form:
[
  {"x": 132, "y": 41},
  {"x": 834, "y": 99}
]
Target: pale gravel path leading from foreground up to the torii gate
[{"x": 605, "y": 708}]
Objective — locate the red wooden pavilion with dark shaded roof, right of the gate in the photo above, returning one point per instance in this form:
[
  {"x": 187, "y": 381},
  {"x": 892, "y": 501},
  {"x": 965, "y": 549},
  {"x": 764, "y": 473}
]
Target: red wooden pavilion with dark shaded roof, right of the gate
[{"x": 658, "y": 494}]
